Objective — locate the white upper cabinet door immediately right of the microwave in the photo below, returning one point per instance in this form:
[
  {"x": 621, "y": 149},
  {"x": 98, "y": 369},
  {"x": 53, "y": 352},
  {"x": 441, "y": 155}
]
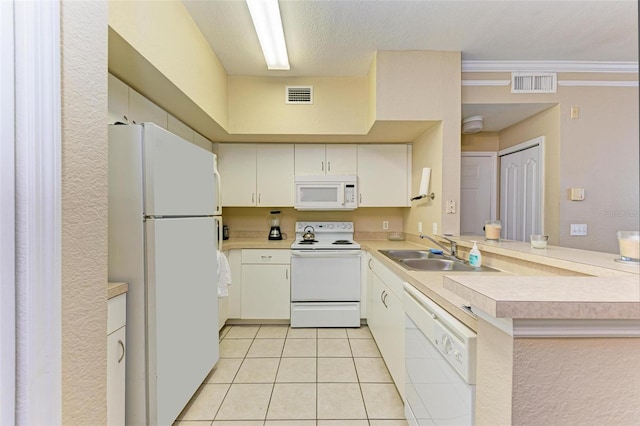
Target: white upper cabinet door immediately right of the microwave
[{"x": 383, "y": 175}]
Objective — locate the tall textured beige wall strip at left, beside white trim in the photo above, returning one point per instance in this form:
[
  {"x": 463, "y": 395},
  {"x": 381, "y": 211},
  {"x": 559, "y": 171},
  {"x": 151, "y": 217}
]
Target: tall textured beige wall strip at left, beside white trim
[{"x": 84, "y": 212}]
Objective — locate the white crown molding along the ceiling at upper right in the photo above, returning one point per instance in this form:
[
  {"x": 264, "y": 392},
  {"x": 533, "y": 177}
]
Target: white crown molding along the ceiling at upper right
[{"x": 550, "y": 66}]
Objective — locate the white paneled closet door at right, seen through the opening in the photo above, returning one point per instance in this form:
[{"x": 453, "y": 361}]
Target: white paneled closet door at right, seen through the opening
[{"x": 521, "y": 193}]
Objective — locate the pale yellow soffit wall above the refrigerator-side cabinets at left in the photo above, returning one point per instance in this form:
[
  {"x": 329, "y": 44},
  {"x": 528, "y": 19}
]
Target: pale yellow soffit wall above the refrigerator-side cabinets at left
[{"x": 164, "y": 34}]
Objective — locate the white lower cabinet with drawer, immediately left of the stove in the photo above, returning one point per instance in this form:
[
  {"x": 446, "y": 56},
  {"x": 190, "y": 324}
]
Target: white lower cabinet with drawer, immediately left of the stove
[{"x": 265, "y": 289}]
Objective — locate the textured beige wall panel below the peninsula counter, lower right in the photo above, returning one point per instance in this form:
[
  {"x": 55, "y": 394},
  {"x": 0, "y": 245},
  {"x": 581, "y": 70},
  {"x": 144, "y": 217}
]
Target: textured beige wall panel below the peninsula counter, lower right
[{"x": 588, "y": 381}]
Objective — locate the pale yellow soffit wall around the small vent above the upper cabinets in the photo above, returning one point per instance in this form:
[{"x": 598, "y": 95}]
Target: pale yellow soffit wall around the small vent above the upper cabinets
[{"x": 257, "y": 106}]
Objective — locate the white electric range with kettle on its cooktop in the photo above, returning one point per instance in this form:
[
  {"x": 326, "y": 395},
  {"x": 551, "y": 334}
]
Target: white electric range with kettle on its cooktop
[{"x": 325, "y": 276}]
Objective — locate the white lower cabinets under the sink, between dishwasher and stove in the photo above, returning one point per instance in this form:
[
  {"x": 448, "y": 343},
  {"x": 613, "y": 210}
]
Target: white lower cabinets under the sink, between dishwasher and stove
[{"x": 385, "y": 317}]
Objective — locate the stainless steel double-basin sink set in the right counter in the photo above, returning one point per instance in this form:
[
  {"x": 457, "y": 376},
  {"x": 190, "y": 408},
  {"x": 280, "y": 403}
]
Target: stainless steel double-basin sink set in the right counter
[{"x": 422, "y": 260}]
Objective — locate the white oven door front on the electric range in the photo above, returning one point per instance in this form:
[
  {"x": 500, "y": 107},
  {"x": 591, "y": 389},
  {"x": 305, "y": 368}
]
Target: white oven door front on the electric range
[{"x": 317, "y": 278}]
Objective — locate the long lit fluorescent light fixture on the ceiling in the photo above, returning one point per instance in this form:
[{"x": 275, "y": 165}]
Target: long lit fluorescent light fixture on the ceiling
[{"x": 268, "y": 24}]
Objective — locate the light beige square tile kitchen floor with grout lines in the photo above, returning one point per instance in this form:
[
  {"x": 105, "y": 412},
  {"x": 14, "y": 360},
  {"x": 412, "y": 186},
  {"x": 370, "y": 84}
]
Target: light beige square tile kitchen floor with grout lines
[{"x": 273, "y": 375}]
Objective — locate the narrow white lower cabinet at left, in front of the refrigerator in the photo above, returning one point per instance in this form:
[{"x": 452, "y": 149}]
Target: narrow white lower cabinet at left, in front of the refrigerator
[{"x": 116, "y": 359}]
